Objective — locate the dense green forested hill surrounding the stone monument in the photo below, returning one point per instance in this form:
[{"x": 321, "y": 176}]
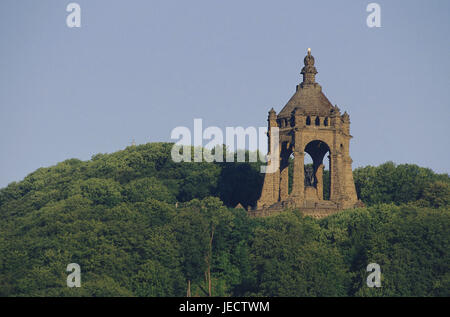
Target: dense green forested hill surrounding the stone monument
[{"x": 139, "y": 224}]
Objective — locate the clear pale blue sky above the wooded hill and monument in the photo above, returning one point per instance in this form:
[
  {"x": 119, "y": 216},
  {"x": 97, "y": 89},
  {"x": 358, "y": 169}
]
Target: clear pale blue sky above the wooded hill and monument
[{"x": 137, "y": 69}]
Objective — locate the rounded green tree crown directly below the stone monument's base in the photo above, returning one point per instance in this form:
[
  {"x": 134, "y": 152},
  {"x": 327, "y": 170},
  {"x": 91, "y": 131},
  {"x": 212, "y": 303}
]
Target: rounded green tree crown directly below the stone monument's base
[{"x": 293, "y": 258}]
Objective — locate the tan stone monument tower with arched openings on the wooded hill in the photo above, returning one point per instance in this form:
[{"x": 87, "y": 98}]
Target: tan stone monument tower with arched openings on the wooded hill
[{"x": 309, "y": 123}]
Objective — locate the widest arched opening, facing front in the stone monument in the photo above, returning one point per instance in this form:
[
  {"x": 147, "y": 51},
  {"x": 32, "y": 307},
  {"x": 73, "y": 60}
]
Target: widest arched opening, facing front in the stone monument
[{"x": 317, "y": 172}]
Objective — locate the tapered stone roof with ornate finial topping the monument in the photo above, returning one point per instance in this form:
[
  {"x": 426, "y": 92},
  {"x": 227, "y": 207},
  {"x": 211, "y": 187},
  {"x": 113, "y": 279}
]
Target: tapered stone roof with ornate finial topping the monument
[{"x": 309, "y": 97}]
